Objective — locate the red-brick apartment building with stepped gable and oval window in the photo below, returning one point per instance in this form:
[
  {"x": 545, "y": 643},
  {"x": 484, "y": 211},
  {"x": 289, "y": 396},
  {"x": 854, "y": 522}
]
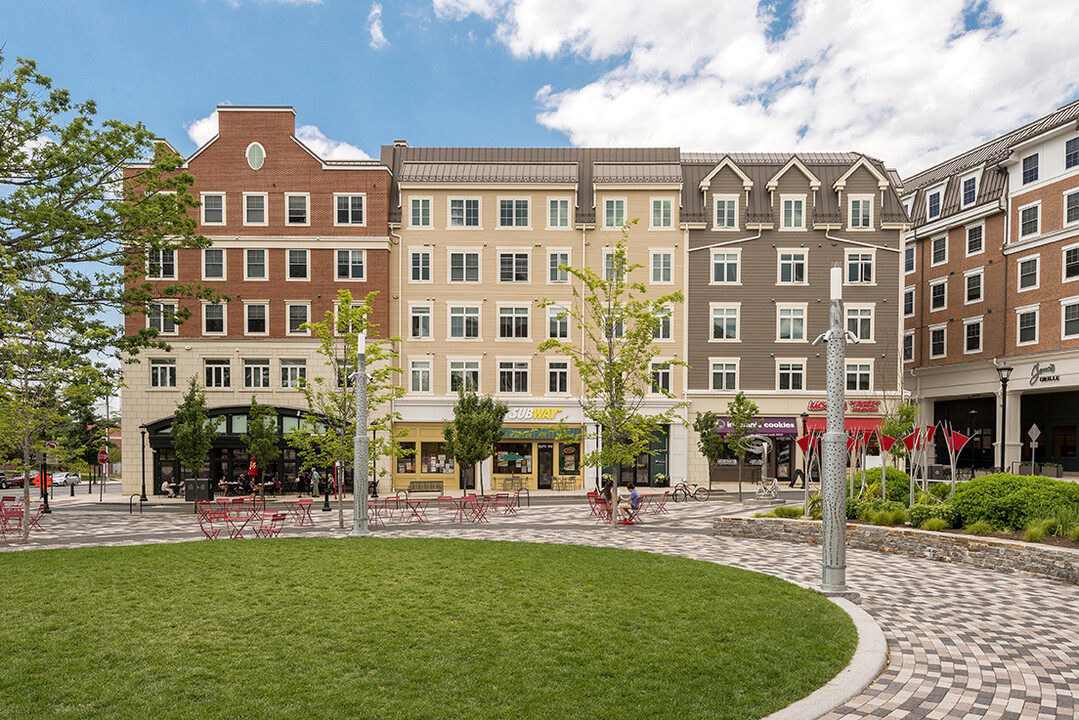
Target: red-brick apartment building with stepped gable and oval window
[{"x": 289, "y": 229}]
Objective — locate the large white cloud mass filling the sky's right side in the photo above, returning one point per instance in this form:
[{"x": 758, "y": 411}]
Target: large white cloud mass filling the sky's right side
[{"x": 907, "y": 83}]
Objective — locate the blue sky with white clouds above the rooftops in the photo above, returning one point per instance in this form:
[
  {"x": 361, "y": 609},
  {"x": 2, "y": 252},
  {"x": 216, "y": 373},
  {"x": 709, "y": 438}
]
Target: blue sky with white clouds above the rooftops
[{"x": 910, "y": 83}]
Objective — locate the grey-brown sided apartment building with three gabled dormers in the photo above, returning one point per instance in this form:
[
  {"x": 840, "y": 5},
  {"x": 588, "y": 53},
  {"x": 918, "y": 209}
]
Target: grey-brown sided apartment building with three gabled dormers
[{"x": 764, "y": 232}]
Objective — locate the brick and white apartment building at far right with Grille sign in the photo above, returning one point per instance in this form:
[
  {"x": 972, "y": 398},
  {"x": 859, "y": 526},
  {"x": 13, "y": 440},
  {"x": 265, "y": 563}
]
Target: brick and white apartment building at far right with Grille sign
[{"x": 991, "y": 266}]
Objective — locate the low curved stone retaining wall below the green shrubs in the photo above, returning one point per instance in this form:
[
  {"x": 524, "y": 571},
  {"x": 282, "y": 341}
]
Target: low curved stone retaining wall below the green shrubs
[{"x": 993, "y": 554}]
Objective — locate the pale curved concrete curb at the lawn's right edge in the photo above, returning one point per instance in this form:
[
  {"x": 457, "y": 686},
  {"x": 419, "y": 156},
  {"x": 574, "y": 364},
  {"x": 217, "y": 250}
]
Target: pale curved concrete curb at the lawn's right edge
[{"x": 870, "y": 659}]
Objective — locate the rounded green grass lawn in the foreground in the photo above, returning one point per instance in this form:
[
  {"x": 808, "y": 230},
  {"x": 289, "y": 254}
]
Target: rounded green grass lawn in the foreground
[{"x": 404, "y": 629}]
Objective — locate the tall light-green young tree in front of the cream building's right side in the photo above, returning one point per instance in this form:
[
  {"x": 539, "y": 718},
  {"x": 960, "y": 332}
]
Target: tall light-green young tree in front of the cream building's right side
[{"x": 617, "y": 359}]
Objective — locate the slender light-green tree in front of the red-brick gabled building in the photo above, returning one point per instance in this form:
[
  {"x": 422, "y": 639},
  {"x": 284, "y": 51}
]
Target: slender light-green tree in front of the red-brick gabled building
[{"x": 325, "y": 438}]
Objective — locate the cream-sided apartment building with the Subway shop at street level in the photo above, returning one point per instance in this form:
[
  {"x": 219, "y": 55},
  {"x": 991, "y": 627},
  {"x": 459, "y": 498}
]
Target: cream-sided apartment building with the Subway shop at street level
[{"x": 480, "y": 238}]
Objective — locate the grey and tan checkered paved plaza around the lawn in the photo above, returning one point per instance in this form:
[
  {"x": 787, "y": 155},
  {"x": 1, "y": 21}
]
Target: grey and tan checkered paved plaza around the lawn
[{"x": 964, "y": 644}]
